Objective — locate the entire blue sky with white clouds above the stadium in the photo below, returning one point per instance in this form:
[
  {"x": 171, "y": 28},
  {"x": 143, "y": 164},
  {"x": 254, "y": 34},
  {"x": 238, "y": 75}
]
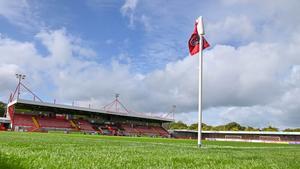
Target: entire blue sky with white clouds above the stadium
[{"x": 85, "y": 51}]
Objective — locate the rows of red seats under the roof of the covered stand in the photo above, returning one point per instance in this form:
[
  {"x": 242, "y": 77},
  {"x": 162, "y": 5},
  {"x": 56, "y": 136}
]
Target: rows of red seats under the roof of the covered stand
[{"x": 44, "y": 122}]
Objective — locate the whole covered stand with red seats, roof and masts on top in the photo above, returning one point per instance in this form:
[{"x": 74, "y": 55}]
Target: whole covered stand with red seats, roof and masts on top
[{"x": 112, "y": 119}]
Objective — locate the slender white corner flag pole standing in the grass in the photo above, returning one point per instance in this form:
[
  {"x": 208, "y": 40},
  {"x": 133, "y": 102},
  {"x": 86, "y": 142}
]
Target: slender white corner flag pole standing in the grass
[{"x": 201, "y": 33}]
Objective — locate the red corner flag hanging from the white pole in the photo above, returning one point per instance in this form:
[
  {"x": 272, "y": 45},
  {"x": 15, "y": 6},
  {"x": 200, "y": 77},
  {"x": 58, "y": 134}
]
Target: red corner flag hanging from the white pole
[{"x": 194, "y": 42}]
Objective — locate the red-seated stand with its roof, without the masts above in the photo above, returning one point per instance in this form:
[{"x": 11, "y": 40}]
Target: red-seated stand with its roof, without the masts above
[{"x": 44, "y": 117}]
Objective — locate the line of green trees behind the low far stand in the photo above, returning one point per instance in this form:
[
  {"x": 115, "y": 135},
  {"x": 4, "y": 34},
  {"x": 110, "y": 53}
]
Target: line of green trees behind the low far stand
[{"x": 232, "y": 126}]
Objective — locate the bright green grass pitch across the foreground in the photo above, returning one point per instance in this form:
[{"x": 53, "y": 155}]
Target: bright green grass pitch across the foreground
[{"x": 56, "y": 150}]
